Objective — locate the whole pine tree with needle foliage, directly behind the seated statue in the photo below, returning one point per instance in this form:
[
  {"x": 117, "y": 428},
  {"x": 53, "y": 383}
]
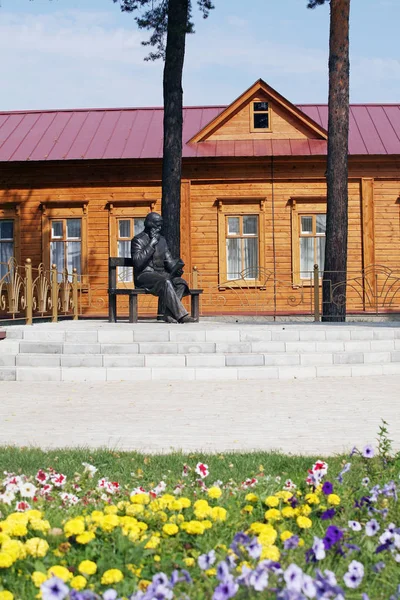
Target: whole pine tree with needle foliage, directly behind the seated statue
[{"x": 169, "y": 21}]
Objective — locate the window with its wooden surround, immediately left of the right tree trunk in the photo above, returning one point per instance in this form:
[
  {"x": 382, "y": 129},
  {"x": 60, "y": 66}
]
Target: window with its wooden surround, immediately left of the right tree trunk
[{"x": 308, "y": 237}]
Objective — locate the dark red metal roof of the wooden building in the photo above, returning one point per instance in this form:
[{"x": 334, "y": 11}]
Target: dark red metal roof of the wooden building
[{"x": 137, "y": 133}]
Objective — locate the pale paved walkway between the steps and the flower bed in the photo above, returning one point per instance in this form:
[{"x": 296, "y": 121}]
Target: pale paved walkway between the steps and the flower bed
[{"x": 316, "y": 416}]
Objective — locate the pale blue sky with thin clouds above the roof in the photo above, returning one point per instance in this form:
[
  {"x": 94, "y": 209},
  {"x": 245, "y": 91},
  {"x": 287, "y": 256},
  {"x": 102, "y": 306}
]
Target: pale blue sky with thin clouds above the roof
[{"x": 86, "y": 53}]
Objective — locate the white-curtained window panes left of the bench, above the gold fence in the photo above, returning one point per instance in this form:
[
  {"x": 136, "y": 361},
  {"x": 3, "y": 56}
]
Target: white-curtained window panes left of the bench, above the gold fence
[{"x": 66, "y": 245}]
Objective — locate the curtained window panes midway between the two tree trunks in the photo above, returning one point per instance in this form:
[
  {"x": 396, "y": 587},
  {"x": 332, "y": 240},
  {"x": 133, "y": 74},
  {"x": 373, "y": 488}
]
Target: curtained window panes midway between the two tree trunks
[{"x": 242, "y": 247}]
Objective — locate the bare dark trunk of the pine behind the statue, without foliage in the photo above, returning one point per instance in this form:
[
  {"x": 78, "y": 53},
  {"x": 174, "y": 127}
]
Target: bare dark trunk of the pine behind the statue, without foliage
[{"x": 173, "y": 97}]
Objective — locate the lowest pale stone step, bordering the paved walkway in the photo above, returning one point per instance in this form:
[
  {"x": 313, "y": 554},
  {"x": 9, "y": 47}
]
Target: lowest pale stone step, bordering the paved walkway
[{"x": 34, "y": 373}]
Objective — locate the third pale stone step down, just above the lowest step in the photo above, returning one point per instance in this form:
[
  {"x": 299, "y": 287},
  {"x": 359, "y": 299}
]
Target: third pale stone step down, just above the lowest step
[{"x": 212, "y": 360}]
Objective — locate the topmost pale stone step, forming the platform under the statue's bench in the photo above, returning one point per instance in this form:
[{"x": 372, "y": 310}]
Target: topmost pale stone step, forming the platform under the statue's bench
[{"x": 126, "y": 333}]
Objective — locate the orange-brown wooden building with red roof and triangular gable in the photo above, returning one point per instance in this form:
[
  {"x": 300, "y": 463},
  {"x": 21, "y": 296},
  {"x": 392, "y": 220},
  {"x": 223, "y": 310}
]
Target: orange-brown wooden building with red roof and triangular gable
[{"x": 76, "y": 185}]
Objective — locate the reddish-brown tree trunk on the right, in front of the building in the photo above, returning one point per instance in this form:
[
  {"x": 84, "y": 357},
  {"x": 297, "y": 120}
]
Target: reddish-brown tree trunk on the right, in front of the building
[{"x": 334, "y": 283}]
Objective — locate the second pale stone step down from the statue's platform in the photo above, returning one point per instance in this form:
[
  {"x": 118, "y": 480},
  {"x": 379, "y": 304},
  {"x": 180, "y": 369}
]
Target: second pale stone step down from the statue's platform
[{"x": 264, "y": 347}]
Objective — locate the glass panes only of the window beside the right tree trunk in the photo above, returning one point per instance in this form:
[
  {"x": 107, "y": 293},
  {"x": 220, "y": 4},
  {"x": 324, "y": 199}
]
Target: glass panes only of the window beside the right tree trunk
[{"x": 312, "y": 243}]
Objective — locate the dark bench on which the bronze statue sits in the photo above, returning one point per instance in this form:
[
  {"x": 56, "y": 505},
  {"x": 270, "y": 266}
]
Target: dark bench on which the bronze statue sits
[{"x": 114, "y": 291}]
